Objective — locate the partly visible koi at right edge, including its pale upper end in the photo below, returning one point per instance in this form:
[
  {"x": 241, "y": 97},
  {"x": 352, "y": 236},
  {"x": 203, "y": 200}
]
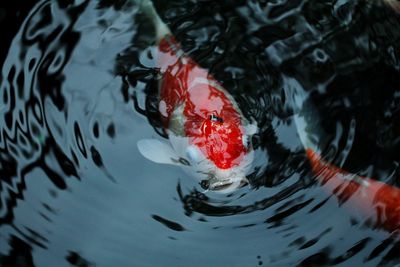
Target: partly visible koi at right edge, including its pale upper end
[{"x": 375, "y": 202}]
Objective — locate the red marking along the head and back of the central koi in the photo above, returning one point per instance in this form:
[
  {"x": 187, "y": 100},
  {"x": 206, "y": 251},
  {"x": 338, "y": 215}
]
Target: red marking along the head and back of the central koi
[{"x": 186, "y": 83}]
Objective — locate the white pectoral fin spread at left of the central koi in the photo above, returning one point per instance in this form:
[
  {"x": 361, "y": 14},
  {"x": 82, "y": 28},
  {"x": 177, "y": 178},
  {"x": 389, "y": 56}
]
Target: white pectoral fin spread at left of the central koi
[{"x": 158, "y": 151}]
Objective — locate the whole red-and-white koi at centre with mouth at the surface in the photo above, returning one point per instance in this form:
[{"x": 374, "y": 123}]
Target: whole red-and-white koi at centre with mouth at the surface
[{"x": 208, "y": 134}]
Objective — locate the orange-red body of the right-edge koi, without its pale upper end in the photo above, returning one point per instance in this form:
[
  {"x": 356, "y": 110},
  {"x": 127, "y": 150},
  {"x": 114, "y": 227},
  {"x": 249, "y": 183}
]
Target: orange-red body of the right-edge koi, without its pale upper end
[{"x": 375, "y": 201}]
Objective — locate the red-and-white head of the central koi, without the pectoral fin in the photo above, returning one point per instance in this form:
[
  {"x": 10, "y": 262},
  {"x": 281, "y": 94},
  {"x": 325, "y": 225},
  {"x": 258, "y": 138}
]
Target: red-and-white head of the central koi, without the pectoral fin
[{"x": 221, "y": 152}]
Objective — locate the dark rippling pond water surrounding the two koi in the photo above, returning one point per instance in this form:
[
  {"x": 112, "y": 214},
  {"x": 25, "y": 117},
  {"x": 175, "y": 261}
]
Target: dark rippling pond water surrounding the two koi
[{"x": 79, "y": 89}]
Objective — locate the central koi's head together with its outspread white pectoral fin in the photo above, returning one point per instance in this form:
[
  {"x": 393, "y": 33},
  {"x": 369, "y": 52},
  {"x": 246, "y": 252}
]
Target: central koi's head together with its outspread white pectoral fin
[{"x": 215, "y": 149}]
